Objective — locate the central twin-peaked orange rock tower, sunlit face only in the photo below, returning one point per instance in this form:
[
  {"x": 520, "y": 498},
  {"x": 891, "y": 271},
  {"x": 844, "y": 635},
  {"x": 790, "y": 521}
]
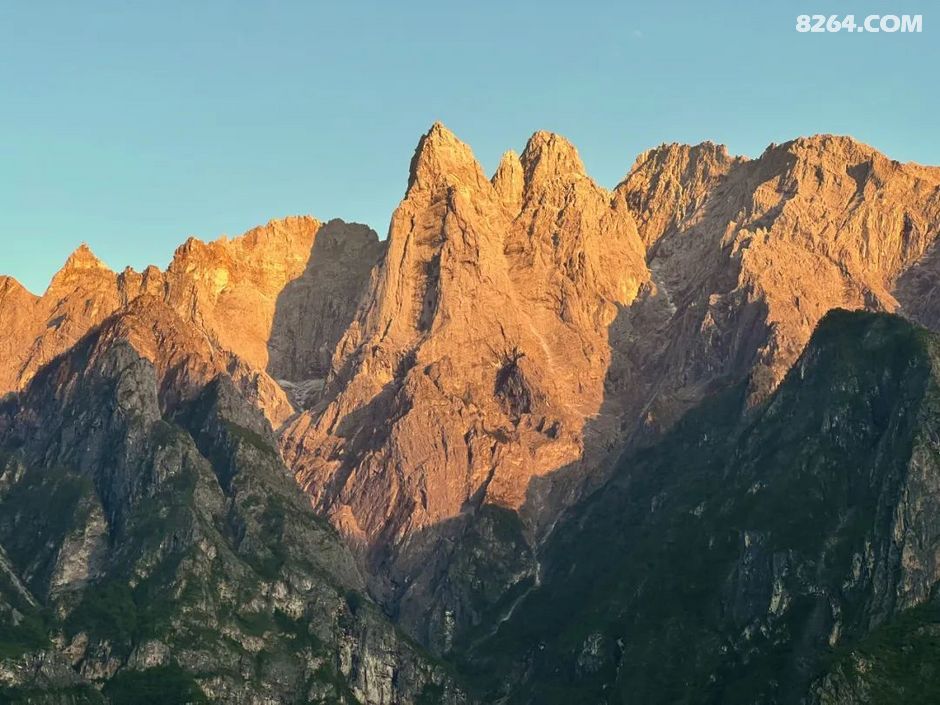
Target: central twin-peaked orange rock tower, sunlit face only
[{"x": 479, "y": 356}]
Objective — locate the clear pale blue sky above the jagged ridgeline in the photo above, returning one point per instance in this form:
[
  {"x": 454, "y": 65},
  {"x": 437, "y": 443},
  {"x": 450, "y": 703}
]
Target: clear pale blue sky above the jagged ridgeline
[{"x": 132, "y": 125}]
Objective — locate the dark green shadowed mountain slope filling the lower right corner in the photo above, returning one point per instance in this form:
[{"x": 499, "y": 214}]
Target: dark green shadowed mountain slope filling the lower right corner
[{"x": 785, "y": 558}]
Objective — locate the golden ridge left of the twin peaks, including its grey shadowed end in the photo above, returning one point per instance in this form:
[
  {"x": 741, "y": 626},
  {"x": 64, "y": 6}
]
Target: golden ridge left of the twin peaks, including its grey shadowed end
[{"x": 272, "y": 289}]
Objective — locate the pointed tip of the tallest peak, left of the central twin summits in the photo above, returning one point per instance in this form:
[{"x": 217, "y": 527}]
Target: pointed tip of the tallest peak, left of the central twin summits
[{"x": 441, "y": 157}]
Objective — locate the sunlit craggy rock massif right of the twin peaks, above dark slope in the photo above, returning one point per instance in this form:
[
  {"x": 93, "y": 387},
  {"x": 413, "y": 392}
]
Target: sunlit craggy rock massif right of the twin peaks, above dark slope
[{"x": 747, "y": 256}]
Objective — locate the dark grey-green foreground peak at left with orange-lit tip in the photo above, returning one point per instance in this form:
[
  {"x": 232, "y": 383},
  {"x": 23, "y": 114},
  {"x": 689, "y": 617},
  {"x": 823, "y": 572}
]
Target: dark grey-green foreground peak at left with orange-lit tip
[{"x": 153, "y": 540}]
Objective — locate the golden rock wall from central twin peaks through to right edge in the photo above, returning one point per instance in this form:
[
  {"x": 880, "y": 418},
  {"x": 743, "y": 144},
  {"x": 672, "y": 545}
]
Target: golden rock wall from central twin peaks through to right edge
[{"x": 521, "y": 331}]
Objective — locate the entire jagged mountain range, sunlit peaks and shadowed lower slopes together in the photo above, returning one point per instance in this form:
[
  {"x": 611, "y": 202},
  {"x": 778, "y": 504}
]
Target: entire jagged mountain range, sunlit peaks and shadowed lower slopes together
[{"x": 545, "y": 443}]
